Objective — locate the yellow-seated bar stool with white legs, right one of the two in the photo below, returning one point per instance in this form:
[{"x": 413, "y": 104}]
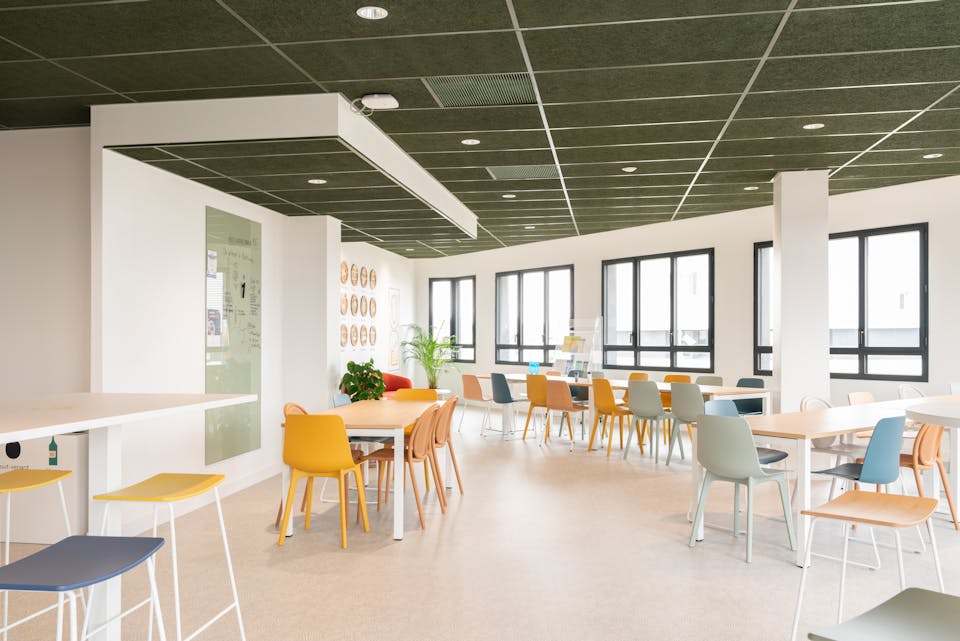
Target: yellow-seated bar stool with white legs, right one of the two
[{"x": 169, "y": 489}]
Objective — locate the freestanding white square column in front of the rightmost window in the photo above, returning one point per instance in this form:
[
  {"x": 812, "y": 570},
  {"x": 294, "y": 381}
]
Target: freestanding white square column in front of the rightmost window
[{"x": 800, "y": 297}]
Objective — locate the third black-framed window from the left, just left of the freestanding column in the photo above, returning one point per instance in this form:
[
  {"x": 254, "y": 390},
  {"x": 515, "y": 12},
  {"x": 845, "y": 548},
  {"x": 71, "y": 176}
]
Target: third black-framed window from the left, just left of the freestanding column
[{"x": 658, "y": 312}]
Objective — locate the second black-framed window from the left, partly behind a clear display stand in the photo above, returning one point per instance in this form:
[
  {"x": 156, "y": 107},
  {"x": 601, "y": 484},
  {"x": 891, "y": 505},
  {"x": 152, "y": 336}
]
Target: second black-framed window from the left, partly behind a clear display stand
[{"x": 534, "y": 310}]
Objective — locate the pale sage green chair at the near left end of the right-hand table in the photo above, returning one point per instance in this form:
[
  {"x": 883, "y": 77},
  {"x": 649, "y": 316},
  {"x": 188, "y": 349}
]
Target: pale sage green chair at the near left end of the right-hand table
[{"x": 726, "y": 451}]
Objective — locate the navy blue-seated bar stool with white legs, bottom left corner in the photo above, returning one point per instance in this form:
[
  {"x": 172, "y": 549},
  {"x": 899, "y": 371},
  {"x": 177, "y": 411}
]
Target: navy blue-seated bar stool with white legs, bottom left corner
[{"x": 77, "y": 562}]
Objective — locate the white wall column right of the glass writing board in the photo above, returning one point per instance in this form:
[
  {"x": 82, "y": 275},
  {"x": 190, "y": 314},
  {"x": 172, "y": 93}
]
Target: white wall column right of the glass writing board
[{"x": 311, "y": 315}]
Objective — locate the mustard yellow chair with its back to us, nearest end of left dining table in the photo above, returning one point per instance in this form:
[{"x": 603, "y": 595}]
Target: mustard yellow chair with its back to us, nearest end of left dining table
[{"x": 316, "y": 445}]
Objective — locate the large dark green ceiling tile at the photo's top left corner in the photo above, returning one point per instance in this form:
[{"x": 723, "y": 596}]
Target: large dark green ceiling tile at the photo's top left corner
[{"x": 125, "y": 27}]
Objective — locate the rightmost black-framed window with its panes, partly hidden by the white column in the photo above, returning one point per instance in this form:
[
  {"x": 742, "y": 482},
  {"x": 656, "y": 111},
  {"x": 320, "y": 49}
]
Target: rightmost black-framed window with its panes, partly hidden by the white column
[{"x": 877, "y": 304}]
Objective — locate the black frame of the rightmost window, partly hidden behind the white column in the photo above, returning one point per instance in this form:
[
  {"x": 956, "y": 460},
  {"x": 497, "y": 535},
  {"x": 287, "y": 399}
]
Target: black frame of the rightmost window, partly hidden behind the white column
[{"x": 863, "y": 351}]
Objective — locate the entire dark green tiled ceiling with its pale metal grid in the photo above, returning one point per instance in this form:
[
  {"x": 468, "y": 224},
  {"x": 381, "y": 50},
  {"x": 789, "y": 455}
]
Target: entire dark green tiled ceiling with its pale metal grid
[{"x": 706, "y": 98}]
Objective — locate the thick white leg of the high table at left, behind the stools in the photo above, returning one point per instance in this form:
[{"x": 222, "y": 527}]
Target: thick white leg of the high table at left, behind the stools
[{"x": 105, "y": 474}]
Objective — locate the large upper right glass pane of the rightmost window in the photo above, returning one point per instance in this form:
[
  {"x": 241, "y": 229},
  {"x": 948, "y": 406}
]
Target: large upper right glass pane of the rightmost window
[{"x": 893, "y": 290}]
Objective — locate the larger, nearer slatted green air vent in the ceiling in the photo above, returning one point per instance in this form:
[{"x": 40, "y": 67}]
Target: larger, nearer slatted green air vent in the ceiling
[{"x": 482, "y": 90}]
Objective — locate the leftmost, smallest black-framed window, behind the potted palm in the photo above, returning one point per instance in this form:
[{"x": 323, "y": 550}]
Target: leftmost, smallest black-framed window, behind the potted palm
[{"x": 452, "y": 312}]
